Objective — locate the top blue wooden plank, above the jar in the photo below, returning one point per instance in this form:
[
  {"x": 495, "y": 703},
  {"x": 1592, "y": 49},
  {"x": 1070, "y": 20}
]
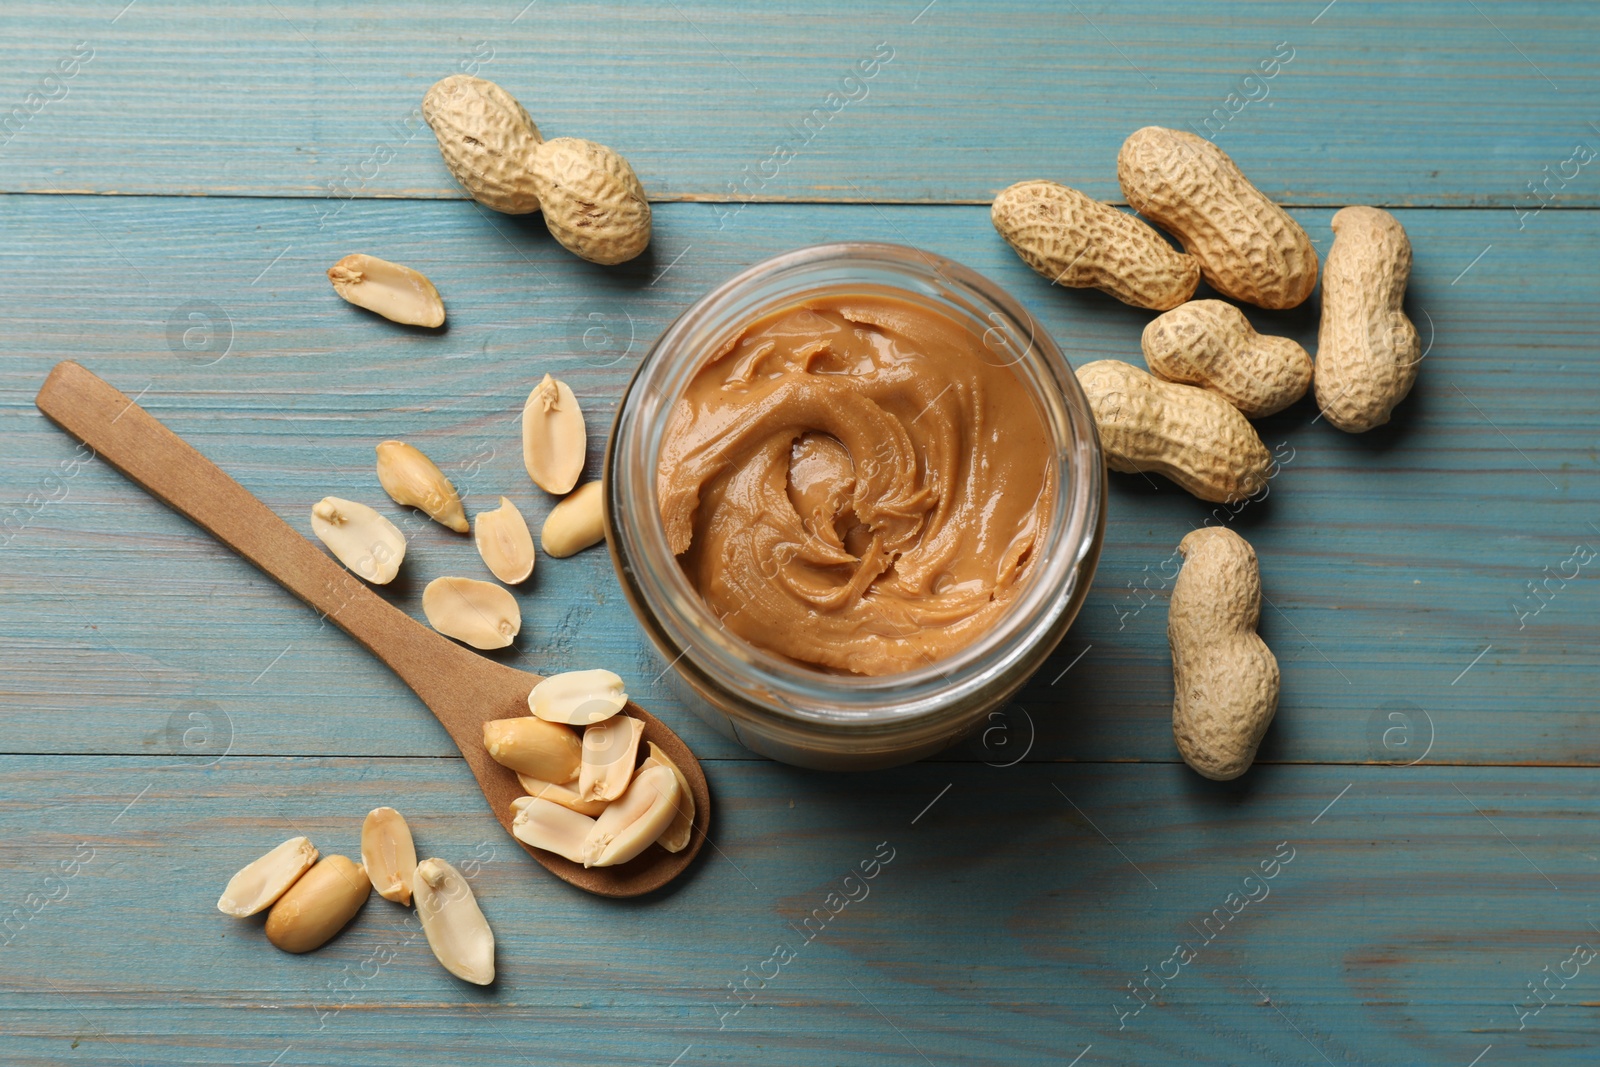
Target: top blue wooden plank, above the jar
[{"x": 1369, "y": 103}]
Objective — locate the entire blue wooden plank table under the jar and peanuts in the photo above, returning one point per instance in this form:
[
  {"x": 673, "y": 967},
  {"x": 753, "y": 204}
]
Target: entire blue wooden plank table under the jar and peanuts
[{"x": 1062, "y": 890}]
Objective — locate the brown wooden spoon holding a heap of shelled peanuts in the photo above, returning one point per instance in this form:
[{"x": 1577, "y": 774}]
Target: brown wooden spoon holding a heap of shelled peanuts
[{"x": 460, "y": 687}]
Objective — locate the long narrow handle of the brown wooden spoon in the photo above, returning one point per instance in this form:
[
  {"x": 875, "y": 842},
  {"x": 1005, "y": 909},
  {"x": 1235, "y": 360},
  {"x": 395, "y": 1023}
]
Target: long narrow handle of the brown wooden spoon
[{"x": 132, "y": 441}]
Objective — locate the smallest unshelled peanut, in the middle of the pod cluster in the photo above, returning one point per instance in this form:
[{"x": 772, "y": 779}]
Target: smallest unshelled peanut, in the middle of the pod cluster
[{"x": 1214, "y": 346}]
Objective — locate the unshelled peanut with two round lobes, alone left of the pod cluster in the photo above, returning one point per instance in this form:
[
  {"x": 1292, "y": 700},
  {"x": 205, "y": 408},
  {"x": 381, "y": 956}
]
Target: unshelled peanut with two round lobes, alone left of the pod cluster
[{"x": 593, "y": 201}]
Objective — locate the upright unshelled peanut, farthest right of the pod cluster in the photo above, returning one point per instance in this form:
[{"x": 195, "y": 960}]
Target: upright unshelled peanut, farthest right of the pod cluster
[{"x": 1367, "y": 350}]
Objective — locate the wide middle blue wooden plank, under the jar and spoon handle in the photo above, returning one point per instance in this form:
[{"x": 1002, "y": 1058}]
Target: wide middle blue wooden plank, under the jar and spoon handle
[{"x": 1394, "y": 562}]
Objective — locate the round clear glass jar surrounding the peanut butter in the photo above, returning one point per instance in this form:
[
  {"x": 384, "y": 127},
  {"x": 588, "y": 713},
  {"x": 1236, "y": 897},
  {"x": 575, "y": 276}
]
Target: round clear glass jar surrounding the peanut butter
[{"x": 807, "y": 716}]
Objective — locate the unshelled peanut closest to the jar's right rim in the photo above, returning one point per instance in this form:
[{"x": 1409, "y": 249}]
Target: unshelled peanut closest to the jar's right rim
[{"x": 1182, "y": 433}]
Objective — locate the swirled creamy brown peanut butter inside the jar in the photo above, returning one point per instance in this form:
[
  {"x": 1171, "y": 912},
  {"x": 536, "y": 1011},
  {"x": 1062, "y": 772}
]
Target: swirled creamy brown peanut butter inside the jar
[{"x": 855, "y": 482}]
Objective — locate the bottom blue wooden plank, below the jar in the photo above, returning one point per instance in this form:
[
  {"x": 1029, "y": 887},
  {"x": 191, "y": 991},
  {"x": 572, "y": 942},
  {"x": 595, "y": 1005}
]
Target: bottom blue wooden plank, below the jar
[{"x": 1404, "y": 921}]
